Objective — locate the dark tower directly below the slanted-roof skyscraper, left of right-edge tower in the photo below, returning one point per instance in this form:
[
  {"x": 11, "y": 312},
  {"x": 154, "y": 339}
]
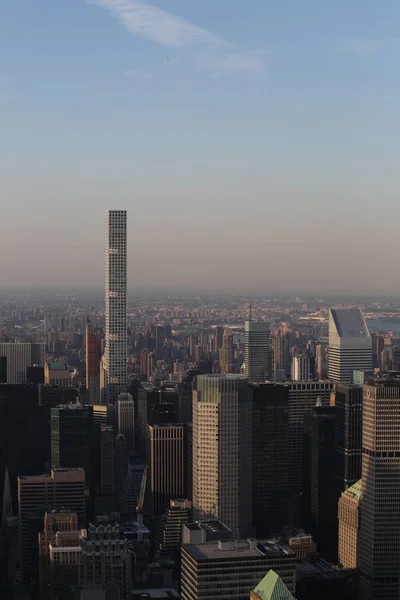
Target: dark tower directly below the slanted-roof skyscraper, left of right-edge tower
[{"x": 348, "y": 403}]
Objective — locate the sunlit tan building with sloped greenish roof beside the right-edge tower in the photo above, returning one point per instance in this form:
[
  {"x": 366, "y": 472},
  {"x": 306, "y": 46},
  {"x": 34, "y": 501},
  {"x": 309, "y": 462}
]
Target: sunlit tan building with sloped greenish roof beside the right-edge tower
[{"x": 349, "y": 526}]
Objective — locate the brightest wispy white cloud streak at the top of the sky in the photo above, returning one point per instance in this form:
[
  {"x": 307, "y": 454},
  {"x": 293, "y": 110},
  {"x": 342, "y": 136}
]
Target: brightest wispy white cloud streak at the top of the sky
[{"x": 172, "y": 31}]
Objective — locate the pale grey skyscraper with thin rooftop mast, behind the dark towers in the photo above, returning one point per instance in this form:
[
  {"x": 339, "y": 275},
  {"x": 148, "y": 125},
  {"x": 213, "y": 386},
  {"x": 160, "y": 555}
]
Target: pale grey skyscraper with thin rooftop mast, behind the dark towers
[{"x": 258, "y": 351}]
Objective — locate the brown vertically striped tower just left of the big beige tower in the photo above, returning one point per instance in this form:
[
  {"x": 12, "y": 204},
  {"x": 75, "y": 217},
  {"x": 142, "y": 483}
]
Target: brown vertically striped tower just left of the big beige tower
[{"x": 166, "y": 465}]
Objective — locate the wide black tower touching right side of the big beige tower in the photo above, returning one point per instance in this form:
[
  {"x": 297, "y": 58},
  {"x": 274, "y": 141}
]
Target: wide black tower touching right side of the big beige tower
[{"x": 270, "y": 458}]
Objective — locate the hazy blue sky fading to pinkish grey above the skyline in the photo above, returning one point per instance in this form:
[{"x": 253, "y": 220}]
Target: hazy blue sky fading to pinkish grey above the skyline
[{"x": 255, "y": 144}]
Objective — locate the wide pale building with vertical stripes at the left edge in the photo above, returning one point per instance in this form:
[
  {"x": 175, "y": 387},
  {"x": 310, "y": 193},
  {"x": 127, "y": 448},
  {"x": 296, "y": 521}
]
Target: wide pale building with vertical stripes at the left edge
[{"x": 19, "y": 356}]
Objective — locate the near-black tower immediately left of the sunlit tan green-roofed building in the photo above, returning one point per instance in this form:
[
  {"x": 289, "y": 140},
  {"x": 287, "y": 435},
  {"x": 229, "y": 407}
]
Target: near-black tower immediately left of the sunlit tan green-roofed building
[{"x": 320, "y": 499}]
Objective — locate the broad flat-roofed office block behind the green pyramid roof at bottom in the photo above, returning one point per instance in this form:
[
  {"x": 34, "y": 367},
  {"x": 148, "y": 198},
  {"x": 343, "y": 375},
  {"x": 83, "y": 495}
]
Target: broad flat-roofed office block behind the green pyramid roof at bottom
[{"x": 233, "y": 568}]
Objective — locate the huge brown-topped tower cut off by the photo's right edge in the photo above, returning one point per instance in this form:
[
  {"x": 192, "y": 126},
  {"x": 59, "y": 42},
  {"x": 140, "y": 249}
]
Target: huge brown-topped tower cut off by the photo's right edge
[{"x": 380, "y": 505}]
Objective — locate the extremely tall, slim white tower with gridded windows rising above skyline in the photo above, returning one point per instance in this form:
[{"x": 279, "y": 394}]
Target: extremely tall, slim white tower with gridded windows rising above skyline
[{"x": 116, "y": 332}]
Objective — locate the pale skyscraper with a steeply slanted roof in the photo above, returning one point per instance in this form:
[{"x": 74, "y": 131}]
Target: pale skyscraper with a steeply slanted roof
[{"x": 350, "y": 344}]
